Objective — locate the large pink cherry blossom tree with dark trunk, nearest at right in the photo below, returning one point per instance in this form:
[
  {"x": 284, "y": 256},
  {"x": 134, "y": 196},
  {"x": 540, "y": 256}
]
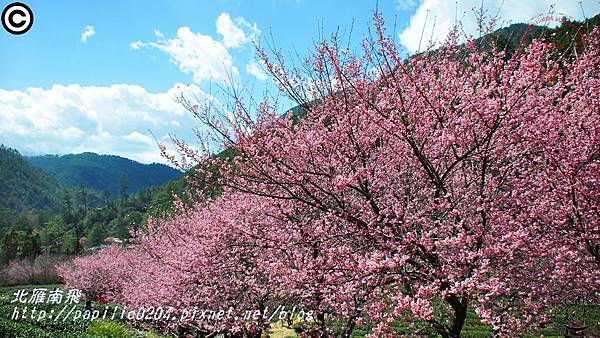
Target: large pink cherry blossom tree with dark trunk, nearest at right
[{"x": 435, "y": 168}]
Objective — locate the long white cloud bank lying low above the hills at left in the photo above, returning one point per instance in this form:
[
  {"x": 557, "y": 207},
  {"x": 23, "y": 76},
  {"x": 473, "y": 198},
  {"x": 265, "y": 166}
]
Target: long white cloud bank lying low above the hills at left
[{"x": 106, "y": 120}]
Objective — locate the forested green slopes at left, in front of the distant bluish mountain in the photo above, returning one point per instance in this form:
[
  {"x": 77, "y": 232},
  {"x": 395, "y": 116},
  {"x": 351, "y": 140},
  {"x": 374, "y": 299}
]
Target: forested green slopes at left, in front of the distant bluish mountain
[{"x": 68, "y": 219}]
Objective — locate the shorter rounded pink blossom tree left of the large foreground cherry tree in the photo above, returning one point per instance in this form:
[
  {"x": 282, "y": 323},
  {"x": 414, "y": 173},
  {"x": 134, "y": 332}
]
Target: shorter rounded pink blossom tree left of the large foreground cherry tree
[{"x": 247, "y": 253}]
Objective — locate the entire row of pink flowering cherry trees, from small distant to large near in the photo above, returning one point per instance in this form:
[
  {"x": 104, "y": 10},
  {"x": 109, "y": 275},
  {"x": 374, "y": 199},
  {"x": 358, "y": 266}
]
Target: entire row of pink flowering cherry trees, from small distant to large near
[{"x": 406, "y": 189}]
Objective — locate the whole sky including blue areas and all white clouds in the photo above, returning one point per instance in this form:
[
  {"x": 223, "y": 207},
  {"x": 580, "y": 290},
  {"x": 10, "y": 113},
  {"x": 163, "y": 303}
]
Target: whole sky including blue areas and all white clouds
[{"x": 97, "y": 75}]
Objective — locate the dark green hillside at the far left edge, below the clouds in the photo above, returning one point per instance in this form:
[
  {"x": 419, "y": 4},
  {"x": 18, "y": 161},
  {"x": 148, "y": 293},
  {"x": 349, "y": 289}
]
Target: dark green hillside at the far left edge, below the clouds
[{"x": 25, "y": 187}]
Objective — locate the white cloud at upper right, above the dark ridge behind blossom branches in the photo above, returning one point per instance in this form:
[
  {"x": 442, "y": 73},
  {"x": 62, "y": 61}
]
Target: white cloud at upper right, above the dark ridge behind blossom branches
[{"x": 509, "y": 11}]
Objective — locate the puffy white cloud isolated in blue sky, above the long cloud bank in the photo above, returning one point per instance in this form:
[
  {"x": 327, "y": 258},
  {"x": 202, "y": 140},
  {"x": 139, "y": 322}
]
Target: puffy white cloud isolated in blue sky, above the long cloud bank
[{"x": 203, "y": 56}]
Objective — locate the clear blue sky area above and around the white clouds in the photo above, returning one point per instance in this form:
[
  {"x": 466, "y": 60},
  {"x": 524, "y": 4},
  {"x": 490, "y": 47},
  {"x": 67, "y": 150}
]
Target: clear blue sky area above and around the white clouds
[{"x": 52, "y": 52}]
